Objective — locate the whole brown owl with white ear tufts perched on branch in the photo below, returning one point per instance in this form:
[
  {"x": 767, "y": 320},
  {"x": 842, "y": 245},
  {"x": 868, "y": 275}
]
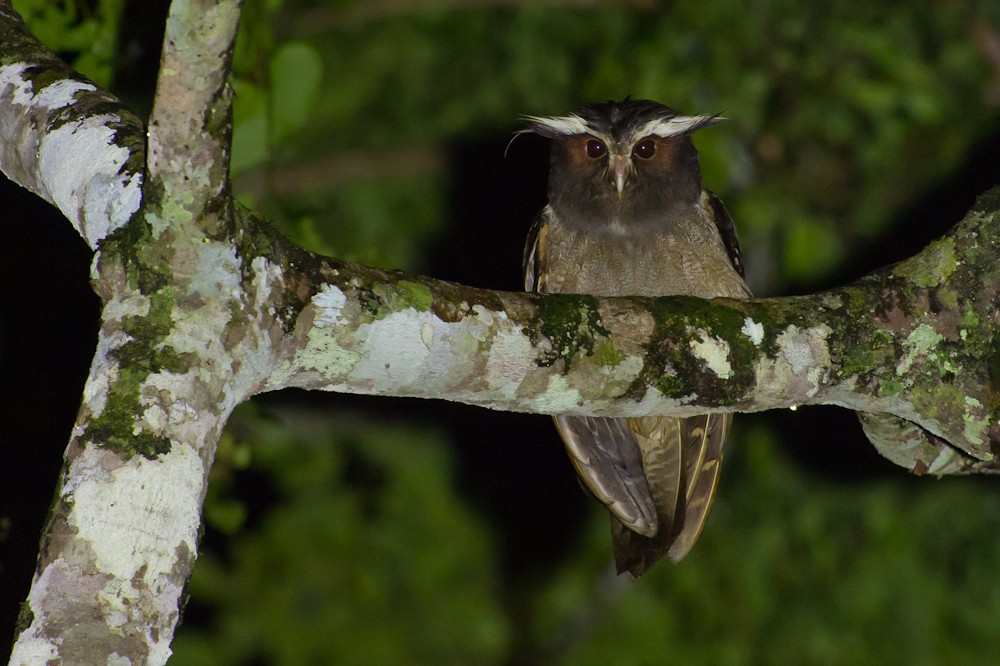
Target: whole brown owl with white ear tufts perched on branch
[{"x": 627, "y": 215}]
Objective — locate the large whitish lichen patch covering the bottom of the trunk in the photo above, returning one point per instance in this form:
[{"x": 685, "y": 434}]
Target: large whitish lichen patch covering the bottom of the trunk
[{"x": 130, "y": 538}]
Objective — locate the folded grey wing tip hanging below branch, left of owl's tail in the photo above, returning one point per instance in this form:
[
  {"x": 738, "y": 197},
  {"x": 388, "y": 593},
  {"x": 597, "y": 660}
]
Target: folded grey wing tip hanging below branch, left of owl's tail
[{"x": 607, "y": 457}]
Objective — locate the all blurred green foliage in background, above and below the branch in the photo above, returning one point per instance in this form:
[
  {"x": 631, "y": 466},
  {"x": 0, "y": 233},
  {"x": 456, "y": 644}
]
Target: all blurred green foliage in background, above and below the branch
[{"x": 841, "y": 115}]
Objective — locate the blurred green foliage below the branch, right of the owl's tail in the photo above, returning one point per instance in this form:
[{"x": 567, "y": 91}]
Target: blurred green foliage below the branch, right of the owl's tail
[{"x": 796, "y": 570}]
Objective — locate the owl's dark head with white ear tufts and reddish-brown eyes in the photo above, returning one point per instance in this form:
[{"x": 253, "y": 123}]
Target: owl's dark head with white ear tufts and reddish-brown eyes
[{"x": 622, "y": 164}]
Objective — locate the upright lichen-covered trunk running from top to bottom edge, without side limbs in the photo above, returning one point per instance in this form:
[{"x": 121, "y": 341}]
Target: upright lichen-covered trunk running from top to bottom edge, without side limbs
[{"x": 173, "y": 359}]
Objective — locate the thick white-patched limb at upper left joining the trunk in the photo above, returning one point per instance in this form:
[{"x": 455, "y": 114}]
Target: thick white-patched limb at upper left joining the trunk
[{"x": 63, "y": 138}]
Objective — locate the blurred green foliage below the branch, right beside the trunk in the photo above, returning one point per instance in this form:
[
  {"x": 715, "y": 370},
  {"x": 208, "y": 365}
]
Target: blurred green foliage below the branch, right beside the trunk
[{"x": 366, "y": 556}]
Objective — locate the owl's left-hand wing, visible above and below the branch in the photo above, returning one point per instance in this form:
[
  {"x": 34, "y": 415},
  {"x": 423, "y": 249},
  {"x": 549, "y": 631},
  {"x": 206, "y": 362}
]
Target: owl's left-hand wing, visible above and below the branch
[{"x": 603, "y": 450}]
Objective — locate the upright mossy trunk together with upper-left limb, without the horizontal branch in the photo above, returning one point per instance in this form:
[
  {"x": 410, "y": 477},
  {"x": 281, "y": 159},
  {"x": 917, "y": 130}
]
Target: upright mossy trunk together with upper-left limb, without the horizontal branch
[{"x": 123, "y": 531}]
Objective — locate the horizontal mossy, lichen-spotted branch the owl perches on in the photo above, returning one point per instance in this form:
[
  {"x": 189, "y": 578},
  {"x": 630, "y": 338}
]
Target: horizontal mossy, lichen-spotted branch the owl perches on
[{"x": 914, "y": 341}]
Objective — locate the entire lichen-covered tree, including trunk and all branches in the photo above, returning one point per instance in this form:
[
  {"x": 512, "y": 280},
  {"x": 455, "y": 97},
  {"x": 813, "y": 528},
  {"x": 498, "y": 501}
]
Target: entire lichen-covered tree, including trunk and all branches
[{"x": 205, "y": 305}]
